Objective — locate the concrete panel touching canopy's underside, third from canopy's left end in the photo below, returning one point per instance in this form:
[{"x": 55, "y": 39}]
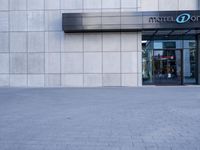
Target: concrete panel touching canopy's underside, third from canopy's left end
[{"x": 111, "y": 41}]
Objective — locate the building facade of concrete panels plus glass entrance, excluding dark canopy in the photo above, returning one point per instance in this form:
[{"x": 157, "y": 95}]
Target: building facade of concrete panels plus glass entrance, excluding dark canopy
[{"x": 36, "y": 52}]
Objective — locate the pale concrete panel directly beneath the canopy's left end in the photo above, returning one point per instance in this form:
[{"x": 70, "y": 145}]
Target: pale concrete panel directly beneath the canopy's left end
[{"x": 72, "y": 42}]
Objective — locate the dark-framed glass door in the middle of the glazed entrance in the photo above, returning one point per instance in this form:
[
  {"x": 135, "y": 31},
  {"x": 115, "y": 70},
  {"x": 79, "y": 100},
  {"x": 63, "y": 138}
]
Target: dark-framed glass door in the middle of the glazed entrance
[{"x": 167, "y": 66}]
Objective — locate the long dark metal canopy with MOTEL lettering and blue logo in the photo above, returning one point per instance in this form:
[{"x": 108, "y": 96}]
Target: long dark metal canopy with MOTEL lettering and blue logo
[{"x": 130, "y": 21}]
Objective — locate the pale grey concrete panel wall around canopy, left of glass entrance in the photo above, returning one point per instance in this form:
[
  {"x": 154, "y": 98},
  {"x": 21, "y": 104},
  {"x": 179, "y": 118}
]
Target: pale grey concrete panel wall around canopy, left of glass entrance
[{"x": 35, "y": 52}]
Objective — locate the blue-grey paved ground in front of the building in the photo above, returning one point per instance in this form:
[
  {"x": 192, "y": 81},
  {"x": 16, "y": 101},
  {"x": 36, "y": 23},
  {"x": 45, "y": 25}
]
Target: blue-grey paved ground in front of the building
[{"x": 148, "y": 118}]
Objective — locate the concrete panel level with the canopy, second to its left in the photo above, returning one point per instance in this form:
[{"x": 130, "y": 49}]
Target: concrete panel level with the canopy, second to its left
[{"x": 36, "y": 21}]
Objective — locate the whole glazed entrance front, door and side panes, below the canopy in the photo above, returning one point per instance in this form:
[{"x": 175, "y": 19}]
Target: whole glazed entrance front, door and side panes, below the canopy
[{"x": 161, "y": 53}]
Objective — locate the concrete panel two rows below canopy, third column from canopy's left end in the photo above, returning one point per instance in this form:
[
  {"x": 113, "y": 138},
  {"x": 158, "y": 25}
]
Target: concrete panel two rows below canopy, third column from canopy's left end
[{"x": 111, "y": 62}]
